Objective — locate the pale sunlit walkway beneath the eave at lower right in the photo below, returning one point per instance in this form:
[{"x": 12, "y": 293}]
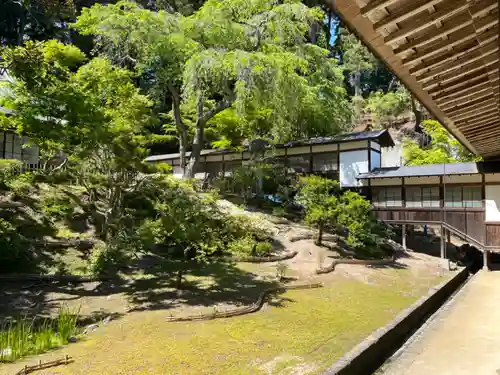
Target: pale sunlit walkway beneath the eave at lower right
[{"x": 462, "y": 338}]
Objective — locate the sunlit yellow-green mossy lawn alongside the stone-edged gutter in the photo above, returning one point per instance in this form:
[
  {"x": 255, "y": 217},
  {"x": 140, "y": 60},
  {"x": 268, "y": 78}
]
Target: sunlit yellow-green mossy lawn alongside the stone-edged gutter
[{"x": 309, "y": 329}]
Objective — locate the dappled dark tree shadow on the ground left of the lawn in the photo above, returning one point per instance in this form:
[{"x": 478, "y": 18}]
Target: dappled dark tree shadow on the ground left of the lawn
[{"x": 220, "y": 283}]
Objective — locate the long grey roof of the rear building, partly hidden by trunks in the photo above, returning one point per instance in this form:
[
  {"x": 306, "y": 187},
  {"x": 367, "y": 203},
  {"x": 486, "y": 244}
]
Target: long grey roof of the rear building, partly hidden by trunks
[{"x": 382, "y": 136}]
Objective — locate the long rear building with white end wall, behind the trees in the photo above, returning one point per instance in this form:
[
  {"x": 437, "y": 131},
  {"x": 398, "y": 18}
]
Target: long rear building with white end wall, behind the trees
[{"x": 342, "y": 157}]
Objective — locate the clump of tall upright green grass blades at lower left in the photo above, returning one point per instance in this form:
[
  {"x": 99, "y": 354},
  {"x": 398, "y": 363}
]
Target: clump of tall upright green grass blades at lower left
[{"x": 26, "y": 336}]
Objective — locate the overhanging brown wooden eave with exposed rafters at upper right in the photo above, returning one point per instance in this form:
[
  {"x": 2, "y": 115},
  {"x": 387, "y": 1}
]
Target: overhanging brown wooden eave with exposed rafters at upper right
[{"x": 446, "y": 52}]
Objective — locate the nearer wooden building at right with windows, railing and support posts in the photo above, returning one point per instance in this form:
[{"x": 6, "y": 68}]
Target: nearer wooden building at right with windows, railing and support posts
[{"x": 463, "y": 199}]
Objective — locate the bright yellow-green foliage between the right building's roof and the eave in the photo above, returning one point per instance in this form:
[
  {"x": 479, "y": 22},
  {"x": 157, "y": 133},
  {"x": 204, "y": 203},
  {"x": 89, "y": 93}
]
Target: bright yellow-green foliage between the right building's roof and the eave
[{"x": 443, "y": 149}]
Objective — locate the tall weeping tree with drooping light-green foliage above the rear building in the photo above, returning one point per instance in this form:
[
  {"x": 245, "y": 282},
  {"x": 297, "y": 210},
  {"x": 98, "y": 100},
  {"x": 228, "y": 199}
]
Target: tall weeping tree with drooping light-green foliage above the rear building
[{"x": 247, "y": 57}]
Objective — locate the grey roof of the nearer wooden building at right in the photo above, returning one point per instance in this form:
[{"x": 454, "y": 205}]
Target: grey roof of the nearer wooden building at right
[{"x": 433, "y": 170}]
